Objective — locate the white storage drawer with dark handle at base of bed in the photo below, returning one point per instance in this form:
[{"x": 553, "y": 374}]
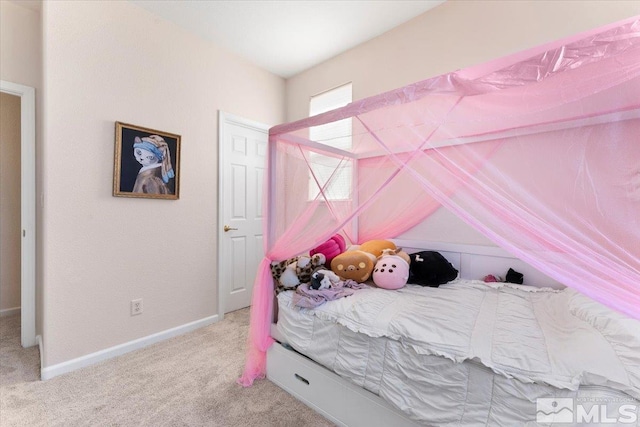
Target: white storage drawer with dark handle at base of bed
[{"x": 336, "y": 398}]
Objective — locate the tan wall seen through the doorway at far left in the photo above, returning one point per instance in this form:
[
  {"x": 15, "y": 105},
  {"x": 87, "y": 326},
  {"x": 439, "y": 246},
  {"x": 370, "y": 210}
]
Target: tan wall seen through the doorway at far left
[{"x": 9, "y": 201}]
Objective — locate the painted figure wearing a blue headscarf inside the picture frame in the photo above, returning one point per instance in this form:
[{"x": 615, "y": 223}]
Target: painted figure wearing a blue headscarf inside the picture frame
[{"x": 152, "y": 152}]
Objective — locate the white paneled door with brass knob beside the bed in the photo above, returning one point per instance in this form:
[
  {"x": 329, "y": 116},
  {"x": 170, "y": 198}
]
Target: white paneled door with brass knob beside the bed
[{"x": 242, "y": 151}]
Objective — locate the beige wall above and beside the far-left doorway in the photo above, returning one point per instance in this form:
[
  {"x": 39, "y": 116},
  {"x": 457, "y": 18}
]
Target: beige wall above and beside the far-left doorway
[{"x": 21, "y": 63}]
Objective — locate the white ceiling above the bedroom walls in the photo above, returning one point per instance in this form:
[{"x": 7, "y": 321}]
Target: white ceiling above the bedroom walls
[{"x": 287, "y": 37}]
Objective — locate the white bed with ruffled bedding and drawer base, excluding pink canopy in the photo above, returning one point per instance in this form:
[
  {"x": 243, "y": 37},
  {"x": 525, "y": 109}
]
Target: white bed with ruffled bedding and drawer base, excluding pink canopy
[{"x": 465, "y": 354}]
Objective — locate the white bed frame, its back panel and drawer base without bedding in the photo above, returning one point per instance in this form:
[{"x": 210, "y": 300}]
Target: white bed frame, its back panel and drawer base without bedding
[{"x": 346, "y": 404}]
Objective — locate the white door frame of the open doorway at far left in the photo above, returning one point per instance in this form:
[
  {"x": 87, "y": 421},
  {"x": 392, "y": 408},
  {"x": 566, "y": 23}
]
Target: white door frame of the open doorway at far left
[{"x": 27, "y": 97}]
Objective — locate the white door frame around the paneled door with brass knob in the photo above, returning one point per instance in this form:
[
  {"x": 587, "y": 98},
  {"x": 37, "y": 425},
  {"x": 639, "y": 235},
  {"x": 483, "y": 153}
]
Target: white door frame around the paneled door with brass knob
[{"x": 225, "y": 119}]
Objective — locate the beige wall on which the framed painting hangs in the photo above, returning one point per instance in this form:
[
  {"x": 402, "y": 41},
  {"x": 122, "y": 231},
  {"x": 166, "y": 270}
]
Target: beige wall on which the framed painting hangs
[{"x": 112, "y": 61}]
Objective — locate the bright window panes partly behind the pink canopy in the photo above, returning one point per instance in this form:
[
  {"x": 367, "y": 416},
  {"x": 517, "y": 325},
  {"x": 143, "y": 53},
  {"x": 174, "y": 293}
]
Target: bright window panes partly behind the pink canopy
[{"x": 336, "y": 134}]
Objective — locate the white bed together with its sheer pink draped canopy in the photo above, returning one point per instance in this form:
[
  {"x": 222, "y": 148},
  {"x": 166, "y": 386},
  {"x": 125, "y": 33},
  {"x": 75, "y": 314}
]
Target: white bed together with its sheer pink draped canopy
[{"x": 539, "y": 153}]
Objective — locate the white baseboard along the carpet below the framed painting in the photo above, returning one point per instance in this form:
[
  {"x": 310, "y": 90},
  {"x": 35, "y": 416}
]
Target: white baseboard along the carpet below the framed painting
[{"x": 118, "y": 350}]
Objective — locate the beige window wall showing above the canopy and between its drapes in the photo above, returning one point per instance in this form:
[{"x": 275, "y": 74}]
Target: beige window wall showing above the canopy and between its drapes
[{"x": 454, "y": 35}]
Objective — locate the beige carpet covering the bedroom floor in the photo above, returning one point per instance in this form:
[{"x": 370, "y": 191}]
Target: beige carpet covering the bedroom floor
[{"x": 185, "y": 381}]
